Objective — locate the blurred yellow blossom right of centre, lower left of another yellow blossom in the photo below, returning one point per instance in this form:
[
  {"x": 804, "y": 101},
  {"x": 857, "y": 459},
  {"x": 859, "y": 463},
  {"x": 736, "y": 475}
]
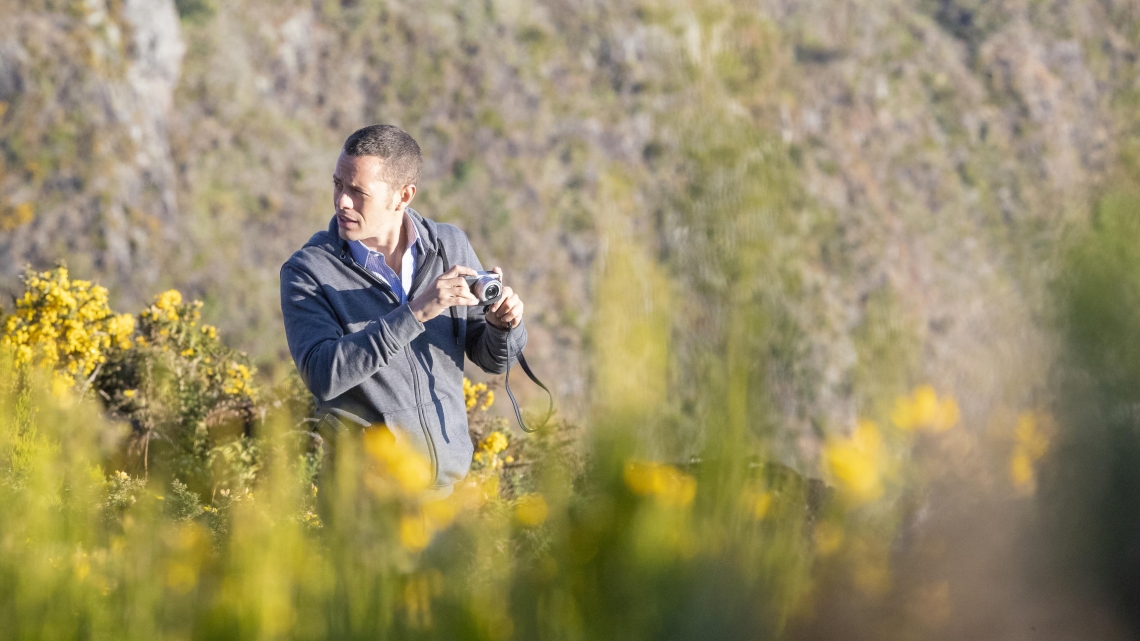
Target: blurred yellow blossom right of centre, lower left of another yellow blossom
[{"x": 859, "y": 464}]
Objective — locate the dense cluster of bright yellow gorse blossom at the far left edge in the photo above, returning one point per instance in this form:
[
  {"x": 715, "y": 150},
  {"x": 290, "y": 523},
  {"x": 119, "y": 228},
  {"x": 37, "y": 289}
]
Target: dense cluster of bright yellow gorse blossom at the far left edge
[{"x": 66, "y": 326}]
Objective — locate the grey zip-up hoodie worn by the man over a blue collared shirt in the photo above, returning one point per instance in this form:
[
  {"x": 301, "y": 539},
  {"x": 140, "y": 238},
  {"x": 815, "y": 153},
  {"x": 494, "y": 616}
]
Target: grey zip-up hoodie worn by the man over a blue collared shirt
[{"x": 369, "y": 361}]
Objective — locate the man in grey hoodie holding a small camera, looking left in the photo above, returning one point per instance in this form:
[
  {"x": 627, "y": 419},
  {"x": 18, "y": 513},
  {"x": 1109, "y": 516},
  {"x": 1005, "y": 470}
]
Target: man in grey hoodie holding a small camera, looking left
[{"x": 378, "y": 314}]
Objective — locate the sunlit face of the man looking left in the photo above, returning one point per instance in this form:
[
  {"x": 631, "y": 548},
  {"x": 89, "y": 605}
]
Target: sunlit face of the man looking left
[{"x": 365, "y": 202}]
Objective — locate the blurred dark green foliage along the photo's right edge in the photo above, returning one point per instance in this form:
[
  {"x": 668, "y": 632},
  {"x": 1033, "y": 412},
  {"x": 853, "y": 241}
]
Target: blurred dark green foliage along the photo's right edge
[{"x": 1093, "y": 491}]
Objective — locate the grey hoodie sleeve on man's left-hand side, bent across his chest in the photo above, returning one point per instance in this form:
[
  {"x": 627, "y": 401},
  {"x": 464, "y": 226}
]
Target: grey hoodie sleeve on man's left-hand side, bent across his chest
[{"x": 330, "y": 361}]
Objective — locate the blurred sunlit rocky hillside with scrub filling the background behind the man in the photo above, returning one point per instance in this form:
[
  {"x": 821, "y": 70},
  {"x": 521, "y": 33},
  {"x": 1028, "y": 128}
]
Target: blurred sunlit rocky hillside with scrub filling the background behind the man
[{"x": 826, "y": 202}]
